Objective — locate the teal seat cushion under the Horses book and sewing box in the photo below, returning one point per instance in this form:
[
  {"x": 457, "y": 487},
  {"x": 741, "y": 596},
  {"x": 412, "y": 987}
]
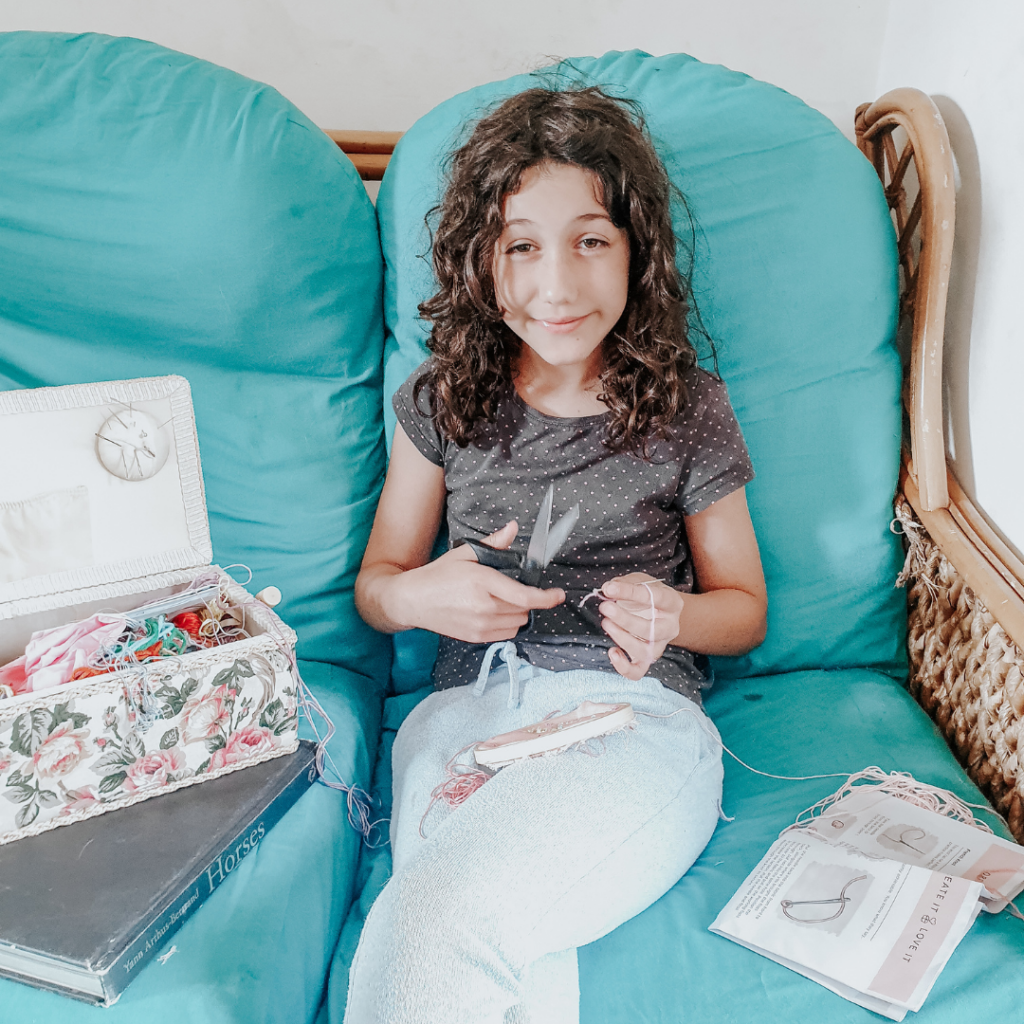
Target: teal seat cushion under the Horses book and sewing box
[{"x": 261, "y": 948}]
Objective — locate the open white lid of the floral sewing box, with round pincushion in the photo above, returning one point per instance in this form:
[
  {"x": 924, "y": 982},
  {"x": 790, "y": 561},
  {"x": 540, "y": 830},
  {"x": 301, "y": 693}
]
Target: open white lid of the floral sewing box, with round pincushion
[{"x": 101, "y": 485}]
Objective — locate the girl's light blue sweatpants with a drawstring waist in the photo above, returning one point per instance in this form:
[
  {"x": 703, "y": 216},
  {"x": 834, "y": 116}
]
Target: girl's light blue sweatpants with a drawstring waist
[{"x": 549, "y": 855}]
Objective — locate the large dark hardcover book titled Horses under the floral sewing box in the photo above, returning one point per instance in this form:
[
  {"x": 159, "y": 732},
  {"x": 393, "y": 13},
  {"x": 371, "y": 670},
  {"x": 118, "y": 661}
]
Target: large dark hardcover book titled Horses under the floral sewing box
[{"x": 83, "y": 909}]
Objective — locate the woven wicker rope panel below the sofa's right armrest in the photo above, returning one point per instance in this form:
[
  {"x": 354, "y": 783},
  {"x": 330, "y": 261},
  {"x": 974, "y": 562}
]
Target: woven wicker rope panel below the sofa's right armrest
[{"x": 965, "y": 671}]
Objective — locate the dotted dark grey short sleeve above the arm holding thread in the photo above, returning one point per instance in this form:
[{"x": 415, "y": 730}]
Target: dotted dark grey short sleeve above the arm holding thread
[{"x": 716, "y": 459}]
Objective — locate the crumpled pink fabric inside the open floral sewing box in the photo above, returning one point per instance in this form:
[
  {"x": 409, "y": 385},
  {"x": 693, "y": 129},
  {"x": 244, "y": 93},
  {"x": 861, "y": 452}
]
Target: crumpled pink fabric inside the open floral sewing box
[{"x": 54, "y": 655}]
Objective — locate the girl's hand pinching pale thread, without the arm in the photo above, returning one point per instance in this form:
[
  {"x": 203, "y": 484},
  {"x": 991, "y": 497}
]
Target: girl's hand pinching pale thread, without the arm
[{"x": 627, "y": 619}]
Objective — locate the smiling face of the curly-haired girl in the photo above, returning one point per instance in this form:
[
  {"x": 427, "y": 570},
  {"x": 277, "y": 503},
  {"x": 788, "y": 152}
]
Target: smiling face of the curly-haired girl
[{"x": 562, "y": 267}]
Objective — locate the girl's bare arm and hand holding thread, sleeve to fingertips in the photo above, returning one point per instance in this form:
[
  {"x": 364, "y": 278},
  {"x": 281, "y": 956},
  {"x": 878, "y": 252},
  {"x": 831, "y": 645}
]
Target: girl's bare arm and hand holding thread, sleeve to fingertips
[{"x": 727, "y": 616}]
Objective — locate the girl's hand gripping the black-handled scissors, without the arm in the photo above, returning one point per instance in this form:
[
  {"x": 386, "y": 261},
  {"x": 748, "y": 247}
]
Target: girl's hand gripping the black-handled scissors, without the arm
[{"x": 456, "y": 596}]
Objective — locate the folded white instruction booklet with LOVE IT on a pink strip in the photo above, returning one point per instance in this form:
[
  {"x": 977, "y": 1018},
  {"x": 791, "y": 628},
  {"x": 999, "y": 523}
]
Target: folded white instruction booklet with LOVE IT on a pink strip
[{"x": 872, "y": 898}]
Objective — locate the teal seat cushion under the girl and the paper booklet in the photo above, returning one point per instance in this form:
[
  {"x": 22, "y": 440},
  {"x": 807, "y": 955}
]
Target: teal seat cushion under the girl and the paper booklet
[{"x": 664, "y": 967}]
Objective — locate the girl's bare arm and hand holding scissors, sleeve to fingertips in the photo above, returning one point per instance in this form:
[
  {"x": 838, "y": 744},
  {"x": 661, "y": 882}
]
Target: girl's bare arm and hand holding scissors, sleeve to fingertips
[{"x": 399, "y": 588}]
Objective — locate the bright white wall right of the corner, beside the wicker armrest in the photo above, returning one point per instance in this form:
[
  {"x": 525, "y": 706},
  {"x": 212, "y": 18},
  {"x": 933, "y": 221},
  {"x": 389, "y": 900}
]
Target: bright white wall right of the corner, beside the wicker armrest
[{"x": 970, "y": 58}]
